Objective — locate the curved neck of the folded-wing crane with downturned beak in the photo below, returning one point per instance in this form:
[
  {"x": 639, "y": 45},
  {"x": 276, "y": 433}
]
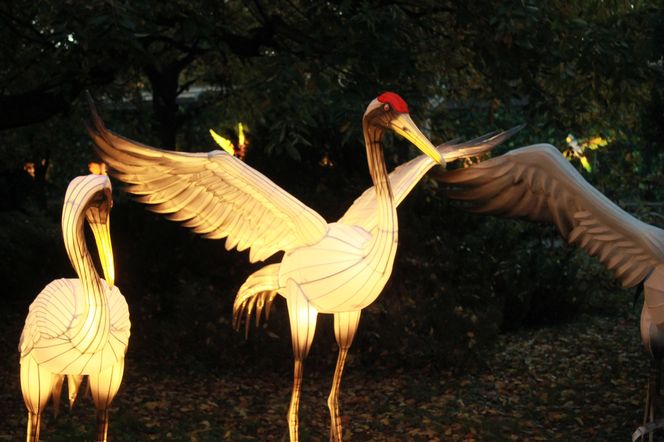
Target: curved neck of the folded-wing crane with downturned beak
[{"x": 90, "y": 329}]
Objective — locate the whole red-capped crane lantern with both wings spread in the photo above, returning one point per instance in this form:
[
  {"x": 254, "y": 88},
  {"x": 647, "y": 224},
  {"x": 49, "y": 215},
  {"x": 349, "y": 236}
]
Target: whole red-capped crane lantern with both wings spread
[{"x": 337, "y": 268}]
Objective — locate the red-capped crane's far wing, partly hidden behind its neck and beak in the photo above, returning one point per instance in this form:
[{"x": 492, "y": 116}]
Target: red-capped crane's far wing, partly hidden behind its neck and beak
[{"x": 404, "y": 177}]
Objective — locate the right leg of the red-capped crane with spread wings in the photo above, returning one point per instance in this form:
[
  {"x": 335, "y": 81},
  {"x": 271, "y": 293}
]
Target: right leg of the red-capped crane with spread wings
[{"x": 345, "y": 326}]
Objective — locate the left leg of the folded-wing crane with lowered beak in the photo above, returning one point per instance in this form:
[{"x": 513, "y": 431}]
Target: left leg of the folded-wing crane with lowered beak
[{"x": 36, "y": 386}]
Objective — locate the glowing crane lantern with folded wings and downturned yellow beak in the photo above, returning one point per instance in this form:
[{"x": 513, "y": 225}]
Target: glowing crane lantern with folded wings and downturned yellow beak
[{"x": 77, "y": 327}]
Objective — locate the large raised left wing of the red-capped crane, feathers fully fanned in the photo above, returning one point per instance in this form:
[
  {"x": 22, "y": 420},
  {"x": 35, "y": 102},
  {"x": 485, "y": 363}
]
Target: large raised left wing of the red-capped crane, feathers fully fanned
[{"x": 215, "y": 194}]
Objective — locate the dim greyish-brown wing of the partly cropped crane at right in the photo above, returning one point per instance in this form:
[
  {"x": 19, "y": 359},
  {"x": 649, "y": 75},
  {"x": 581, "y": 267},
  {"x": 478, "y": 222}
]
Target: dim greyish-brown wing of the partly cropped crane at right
[{"x": 538, "y": 183}]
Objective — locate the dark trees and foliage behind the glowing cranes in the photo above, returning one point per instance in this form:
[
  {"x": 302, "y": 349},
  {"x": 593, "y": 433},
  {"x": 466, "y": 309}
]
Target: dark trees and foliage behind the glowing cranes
[{"x": 299, "y": 74}]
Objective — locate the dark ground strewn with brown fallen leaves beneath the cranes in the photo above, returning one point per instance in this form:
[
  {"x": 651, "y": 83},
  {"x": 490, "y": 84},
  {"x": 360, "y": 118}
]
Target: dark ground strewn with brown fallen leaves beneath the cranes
[{"x": 582, "y": 380}]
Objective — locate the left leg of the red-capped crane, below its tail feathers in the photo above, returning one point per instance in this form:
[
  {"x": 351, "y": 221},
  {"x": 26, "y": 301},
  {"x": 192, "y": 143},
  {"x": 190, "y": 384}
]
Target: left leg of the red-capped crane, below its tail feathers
[{"x": 303, "y": 318}]
